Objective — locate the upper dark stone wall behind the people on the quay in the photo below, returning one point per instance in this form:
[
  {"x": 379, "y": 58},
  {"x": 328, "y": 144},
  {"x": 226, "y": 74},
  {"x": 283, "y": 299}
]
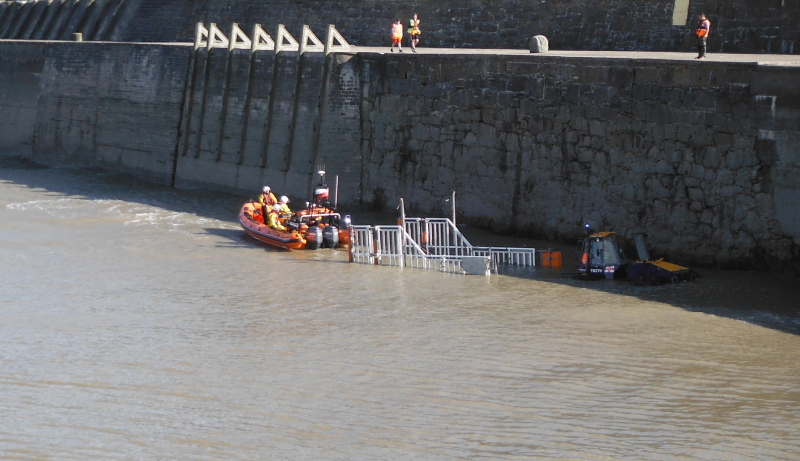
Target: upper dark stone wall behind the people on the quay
[{"x": 748, "y": 26}]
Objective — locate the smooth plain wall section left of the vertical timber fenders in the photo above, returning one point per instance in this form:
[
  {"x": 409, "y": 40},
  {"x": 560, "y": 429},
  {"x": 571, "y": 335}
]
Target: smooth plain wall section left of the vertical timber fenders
[{"x": 81, "y": 104}]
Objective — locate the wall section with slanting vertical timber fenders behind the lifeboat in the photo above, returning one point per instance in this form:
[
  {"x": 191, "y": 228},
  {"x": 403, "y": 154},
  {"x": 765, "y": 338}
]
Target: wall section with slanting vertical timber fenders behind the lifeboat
[{"x": 269, "y": 118}]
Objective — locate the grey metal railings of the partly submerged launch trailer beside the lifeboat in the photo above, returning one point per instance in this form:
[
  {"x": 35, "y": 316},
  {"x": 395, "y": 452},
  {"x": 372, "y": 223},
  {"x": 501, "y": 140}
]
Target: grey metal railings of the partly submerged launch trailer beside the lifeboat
[{"x": 427, "y": 243}]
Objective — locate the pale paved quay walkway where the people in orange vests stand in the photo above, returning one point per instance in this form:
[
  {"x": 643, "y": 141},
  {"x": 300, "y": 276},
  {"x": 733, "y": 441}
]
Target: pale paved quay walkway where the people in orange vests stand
[{"x": 791, "y": 60}]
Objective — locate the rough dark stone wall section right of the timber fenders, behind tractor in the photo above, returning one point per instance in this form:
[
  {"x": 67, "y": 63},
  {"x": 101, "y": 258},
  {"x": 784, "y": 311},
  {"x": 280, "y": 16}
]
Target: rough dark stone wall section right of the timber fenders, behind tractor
[{"x": 702, "y": 157}]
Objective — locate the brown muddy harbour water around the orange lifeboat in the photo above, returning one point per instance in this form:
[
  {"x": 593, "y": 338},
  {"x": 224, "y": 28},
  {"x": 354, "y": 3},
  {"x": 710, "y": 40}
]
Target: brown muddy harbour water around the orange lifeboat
[{"x": 139, "y": 322}]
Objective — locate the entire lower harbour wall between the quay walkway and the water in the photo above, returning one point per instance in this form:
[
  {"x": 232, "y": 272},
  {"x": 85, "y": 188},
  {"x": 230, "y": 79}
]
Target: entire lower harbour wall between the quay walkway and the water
[{"x": 703, "y": 156}]
